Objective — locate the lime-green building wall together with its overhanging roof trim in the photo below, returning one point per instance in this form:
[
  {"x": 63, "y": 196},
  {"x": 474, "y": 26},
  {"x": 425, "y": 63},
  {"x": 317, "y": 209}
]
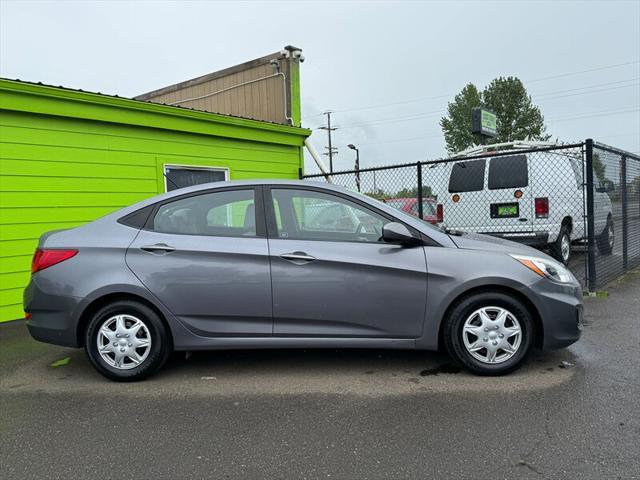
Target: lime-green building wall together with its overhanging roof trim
[{"x": 69, "y": 157}]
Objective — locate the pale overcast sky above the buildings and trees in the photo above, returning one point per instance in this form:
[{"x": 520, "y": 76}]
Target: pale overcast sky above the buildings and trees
[{"x": 386, "y": 69}]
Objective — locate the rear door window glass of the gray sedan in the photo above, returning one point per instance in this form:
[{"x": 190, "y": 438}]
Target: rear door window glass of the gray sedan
[{"x": 229, "y": 213}]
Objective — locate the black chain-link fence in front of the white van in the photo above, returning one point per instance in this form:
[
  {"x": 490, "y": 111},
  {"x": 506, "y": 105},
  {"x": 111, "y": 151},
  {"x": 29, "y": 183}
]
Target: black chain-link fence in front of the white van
[{"x": 580, "y": 202}]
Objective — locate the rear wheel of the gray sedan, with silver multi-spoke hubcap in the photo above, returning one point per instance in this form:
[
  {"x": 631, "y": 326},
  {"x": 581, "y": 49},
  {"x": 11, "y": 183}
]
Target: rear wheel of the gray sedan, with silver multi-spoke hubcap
[{"x": 143, "y": 339}]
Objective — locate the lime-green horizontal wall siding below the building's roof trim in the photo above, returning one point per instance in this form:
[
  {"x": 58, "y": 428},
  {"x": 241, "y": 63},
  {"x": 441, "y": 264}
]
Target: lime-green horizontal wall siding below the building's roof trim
[{"x": 59, "y": 172}]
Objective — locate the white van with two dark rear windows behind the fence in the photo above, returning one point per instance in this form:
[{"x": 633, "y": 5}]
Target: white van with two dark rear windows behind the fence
[{"x": 534, "y": 198}]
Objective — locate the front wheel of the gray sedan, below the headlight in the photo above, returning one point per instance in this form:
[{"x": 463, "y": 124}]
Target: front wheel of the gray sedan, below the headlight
[{"x": 464, "y": 316}]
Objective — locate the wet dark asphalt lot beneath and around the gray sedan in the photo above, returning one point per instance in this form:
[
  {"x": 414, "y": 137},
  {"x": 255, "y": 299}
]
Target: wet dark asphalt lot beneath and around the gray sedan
[{"x": 331, "y": 414}]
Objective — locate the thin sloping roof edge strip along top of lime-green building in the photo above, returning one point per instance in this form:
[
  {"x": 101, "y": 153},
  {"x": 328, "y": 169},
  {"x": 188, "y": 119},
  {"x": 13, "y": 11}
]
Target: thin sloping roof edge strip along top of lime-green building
[{"x": 203, "y": 115}]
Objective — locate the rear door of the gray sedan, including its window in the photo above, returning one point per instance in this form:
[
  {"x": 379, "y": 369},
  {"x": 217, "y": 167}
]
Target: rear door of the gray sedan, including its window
[{"x": 205, "y": 257}]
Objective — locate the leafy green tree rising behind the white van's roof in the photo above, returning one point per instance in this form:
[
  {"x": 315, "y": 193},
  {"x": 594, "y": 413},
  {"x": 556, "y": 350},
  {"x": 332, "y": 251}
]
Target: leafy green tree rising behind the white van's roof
[{"x": 517, "y": 117}]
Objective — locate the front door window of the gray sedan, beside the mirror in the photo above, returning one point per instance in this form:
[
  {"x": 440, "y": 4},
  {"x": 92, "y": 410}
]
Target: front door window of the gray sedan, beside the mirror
[{"x": 310, "y": 215}]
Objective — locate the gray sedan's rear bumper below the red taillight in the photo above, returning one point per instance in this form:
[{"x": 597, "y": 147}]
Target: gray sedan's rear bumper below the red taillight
[{"x": 52, "y": 318}]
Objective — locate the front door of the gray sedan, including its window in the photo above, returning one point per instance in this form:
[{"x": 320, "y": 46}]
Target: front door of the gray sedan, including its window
[{"x": 331, "y": 273}]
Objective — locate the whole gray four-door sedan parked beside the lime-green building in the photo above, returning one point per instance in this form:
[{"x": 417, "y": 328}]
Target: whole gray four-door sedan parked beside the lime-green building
[{"x": 288, "y": 264}]
